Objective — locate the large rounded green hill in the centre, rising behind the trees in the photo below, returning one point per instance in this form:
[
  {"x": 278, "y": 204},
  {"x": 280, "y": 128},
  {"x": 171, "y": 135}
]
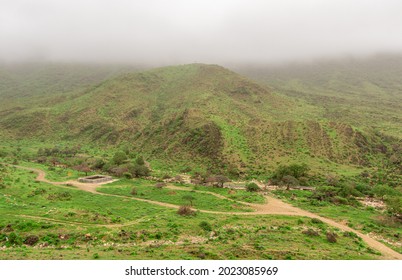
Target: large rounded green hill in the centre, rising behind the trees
[{"x": 204, "y": 117}]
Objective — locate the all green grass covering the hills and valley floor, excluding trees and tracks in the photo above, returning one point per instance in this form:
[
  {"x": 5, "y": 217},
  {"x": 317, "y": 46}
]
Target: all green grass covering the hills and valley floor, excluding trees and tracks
[{"x": 199, "y": 118}]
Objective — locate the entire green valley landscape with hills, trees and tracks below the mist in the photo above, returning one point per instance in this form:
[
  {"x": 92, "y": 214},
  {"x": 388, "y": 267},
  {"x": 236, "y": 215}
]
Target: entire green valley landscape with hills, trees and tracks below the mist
[{"x": 332, "y": 128}]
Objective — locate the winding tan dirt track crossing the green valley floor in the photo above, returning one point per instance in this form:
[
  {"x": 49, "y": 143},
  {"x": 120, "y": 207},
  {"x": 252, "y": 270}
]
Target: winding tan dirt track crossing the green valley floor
[{"x": 272, "y": 206}]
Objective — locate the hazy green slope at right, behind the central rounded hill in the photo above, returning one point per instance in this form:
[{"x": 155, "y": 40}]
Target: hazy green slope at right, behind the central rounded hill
[{"x": 364, "y": 92}]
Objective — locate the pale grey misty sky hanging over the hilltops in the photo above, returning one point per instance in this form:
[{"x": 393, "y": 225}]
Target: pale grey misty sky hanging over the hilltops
[{"x": 186, "y": 31}]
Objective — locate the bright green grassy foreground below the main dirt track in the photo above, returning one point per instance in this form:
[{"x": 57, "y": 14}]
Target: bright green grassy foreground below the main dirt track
[{"x": 145, "y": 231}]
